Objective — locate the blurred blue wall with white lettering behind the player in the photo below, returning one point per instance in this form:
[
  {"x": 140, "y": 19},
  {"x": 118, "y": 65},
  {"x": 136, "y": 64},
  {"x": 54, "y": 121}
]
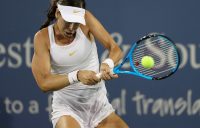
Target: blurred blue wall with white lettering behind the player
[{"x": 170, "y": 103}]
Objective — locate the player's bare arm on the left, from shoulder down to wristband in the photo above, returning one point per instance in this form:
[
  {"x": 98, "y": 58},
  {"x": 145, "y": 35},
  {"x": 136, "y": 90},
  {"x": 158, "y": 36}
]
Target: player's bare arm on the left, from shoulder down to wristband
[{"x": 41, "y": 66}]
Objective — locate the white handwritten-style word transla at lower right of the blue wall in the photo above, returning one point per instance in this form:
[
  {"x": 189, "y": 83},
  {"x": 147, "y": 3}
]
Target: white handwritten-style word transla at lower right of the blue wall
[{"x": 165, "y": 107}]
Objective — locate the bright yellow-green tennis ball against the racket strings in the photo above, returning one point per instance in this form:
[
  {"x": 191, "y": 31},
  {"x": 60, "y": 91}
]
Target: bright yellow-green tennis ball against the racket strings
[{"x": 147, "y": 62}]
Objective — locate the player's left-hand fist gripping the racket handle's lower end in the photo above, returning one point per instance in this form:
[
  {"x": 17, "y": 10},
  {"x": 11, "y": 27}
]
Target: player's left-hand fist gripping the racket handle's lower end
[{"x": 87, "y": 77}]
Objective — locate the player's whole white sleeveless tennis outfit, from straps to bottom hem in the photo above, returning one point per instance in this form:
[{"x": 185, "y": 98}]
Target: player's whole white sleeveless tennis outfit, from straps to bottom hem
[{"x": 88, "y": 105}]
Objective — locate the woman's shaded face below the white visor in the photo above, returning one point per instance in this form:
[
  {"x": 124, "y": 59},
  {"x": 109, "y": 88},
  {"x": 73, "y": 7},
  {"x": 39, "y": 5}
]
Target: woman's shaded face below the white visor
[{"x": 67, "y": 29}]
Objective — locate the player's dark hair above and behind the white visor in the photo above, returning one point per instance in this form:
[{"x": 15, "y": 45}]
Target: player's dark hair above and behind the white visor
[{"x": 53, "y": 7}]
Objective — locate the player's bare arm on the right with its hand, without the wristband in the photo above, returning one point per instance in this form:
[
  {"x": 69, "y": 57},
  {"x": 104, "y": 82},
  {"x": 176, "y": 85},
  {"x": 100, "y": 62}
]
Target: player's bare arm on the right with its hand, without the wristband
[{"x": 99, "y": 32}]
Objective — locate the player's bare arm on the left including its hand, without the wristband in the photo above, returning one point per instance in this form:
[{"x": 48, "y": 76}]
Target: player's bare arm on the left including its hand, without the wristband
[{"x": 41, "y": 68}]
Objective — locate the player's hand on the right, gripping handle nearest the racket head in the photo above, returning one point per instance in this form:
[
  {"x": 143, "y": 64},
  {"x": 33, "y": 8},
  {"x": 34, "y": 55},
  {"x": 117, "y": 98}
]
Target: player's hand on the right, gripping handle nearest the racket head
[{"x": 106, "y": 72}]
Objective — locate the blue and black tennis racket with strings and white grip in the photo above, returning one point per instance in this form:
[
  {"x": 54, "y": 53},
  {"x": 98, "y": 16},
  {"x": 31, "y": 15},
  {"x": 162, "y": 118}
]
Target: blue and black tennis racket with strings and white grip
[{"x": 159, "y": 47}]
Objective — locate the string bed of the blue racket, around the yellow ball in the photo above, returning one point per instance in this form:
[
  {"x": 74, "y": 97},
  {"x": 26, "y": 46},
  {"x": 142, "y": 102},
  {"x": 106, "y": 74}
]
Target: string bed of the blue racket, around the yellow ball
[{"x": 162, "y": 51}]
